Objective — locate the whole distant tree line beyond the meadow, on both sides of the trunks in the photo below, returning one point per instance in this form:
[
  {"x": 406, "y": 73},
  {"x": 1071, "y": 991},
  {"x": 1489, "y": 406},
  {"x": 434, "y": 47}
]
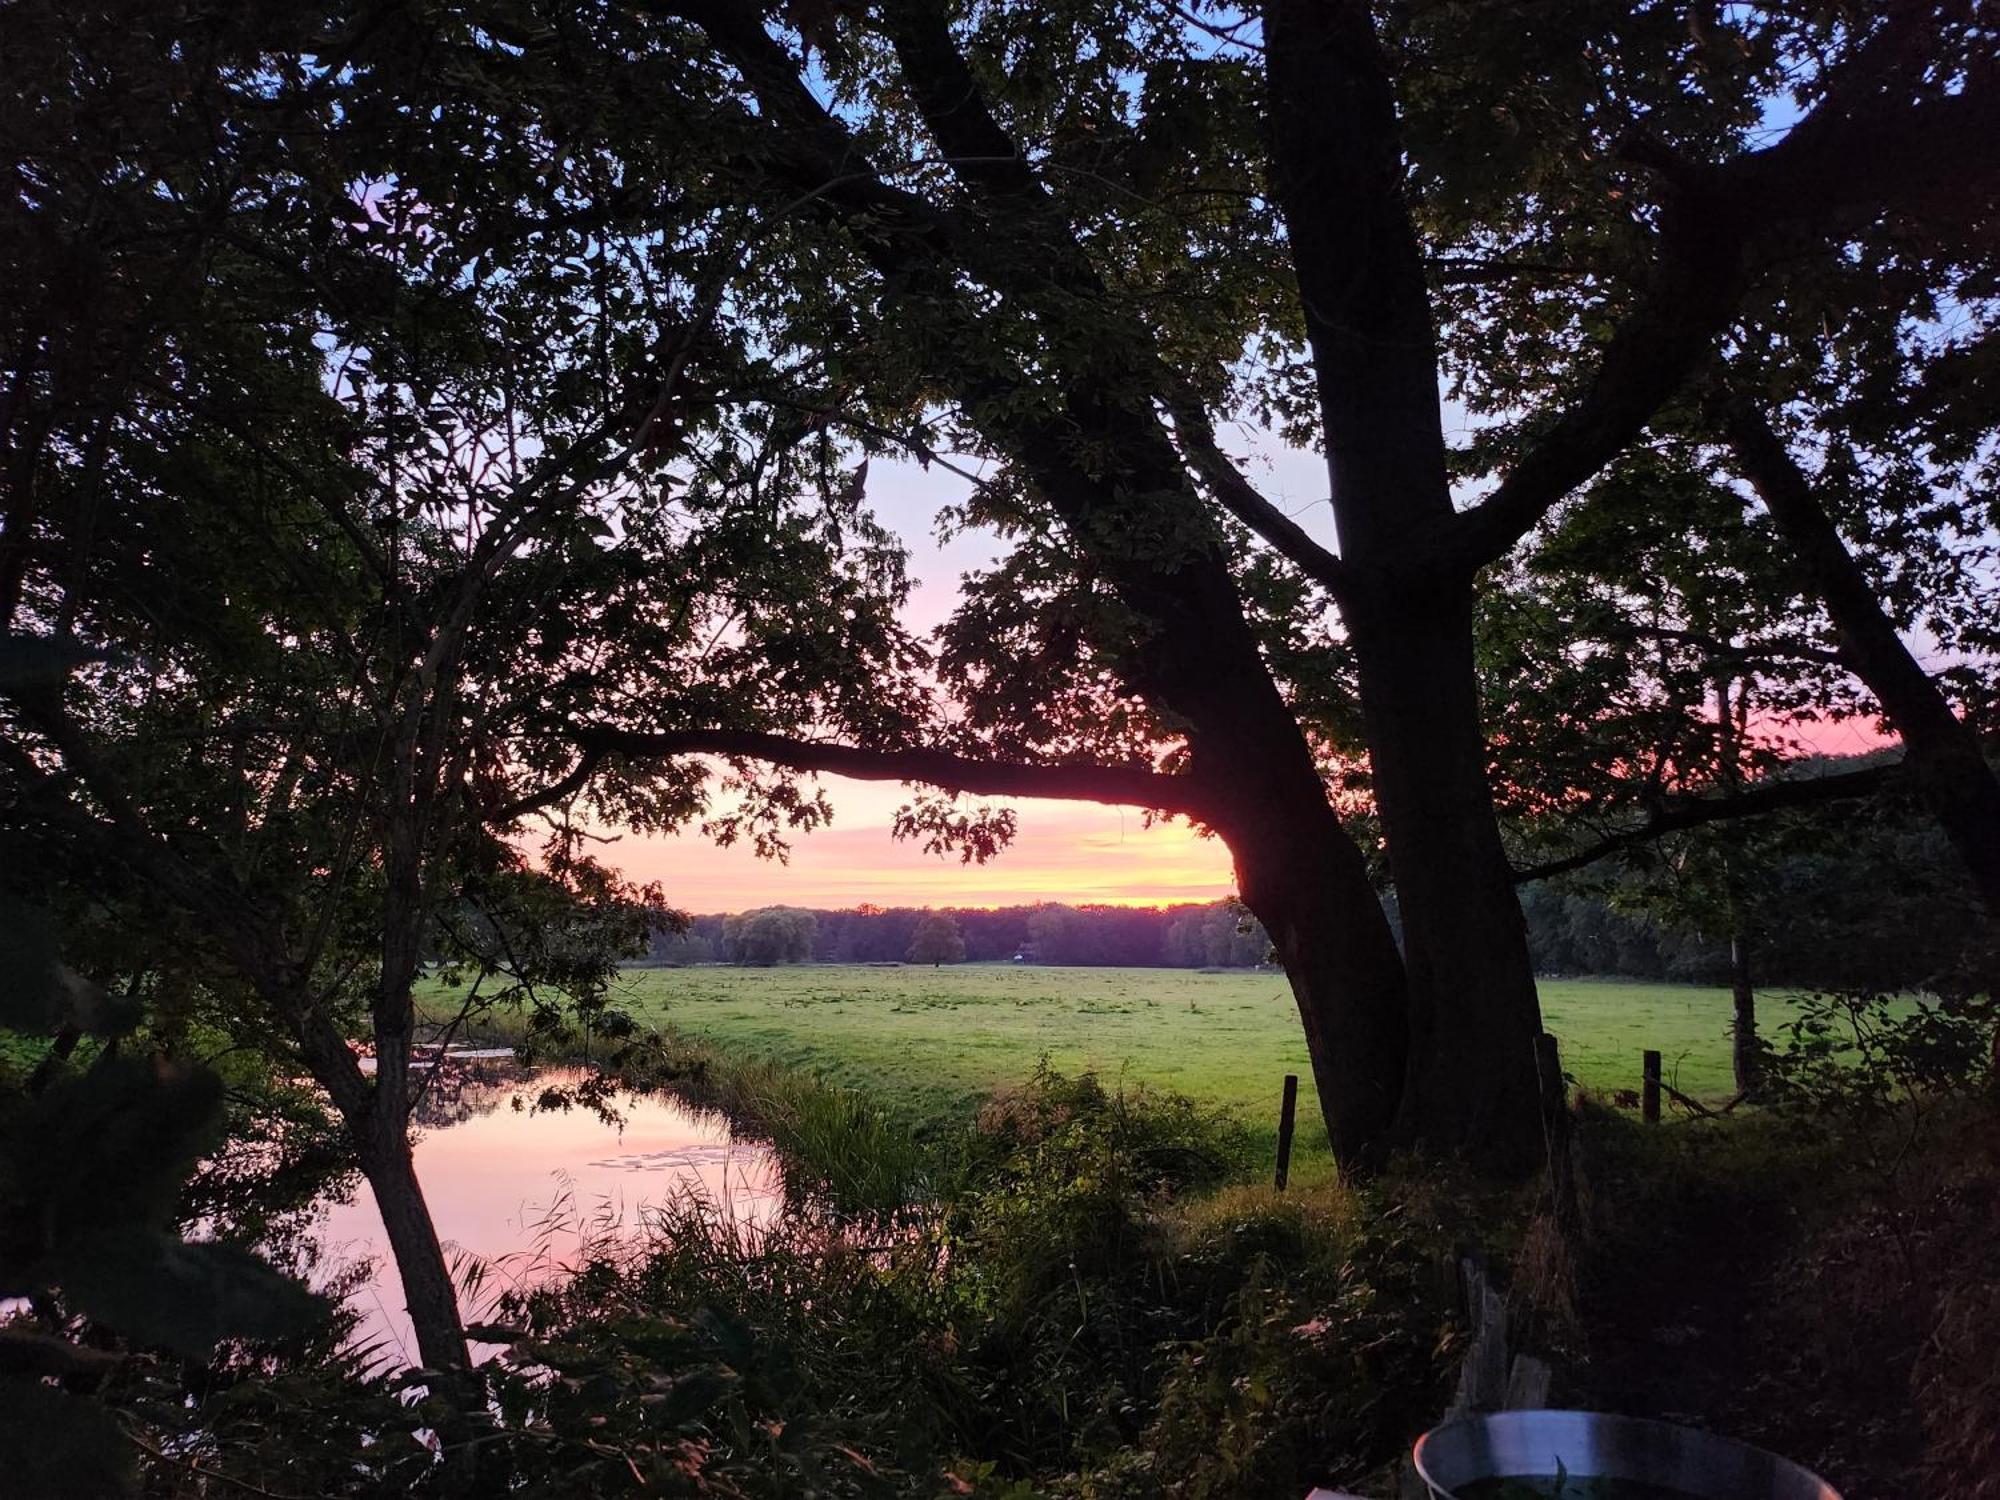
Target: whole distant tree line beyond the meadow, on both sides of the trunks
[{"x": 1841, "y": 903}]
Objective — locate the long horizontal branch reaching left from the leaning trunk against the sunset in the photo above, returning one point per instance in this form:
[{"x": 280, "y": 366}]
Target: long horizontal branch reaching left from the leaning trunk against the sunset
[{"x": 1085, "y": 783}]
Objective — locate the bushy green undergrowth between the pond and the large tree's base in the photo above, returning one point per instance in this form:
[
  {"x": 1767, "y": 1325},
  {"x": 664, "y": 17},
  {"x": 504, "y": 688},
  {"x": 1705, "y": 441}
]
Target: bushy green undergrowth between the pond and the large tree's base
[{"x": 1075, "y": 1313}]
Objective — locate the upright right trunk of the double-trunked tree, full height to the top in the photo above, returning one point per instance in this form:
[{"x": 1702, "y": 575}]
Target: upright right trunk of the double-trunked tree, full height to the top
[{"x": 1339, "y": 175}]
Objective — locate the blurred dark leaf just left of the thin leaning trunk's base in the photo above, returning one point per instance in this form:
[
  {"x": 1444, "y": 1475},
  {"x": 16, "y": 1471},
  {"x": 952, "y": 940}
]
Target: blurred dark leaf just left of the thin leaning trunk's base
[{"x": 185, "y": 1297}]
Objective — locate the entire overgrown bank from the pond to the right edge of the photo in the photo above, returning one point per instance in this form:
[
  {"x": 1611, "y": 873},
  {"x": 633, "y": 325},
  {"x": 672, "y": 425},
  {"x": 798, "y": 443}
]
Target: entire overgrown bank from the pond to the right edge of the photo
[{"x": 1079, "y": 1291}]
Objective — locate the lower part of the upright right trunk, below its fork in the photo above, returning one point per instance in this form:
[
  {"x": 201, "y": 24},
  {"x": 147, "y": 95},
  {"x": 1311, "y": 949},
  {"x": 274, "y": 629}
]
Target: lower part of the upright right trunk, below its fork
[{"x": 1473, "y": 1001}]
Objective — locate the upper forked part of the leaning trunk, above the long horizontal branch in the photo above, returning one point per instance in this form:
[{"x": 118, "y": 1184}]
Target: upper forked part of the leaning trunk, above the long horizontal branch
[{"x": 1015, "y": 239}]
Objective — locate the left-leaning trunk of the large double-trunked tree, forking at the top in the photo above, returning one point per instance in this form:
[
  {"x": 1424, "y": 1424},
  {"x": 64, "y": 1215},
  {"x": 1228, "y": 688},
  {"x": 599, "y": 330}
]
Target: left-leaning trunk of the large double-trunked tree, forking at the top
[{"x": 1111, "y": 473}]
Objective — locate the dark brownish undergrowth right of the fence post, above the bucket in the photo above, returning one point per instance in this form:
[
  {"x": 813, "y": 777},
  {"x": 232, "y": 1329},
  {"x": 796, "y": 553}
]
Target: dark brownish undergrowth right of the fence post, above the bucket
[{"x": 1821, "y": 1277}]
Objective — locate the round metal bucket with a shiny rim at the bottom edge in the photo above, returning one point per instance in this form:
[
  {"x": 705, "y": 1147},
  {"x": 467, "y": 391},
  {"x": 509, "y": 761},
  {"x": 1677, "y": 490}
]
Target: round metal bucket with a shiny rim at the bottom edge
[{"x": 1591, "y": 1445}]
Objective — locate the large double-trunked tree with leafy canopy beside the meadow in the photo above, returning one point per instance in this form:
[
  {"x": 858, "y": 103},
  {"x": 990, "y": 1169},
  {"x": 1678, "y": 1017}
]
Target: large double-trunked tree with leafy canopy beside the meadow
[{"x": 1679, "y": 281}]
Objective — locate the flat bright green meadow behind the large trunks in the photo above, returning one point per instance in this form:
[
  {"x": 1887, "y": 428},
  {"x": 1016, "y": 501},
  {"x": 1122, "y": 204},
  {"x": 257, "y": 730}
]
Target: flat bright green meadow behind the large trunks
[{"x": 933, "y": 1041}]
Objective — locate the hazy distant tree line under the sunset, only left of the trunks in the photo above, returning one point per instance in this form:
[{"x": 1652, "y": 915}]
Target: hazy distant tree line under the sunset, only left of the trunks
[{"x": 1217, "y": 935}]
